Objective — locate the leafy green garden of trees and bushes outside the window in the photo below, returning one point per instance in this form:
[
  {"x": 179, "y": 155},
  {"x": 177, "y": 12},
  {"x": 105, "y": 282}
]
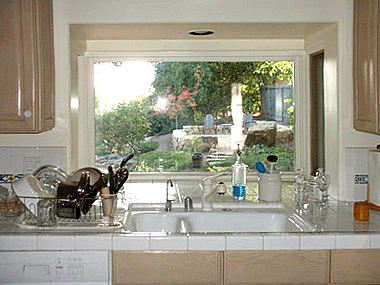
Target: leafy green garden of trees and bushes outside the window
[{"x": 190, "y": 91}]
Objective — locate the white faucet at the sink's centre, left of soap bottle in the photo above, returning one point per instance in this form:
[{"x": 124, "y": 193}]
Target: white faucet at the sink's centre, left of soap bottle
[{"x": 210, "y": 190}]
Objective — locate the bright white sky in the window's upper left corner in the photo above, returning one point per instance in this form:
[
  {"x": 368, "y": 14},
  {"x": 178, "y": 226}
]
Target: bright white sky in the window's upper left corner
[{"x": 114, "y": 84}]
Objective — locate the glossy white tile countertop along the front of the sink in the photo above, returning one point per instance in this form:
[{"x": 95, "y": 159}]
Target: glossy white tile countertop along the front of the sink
[{"x": 337, "y": 229}]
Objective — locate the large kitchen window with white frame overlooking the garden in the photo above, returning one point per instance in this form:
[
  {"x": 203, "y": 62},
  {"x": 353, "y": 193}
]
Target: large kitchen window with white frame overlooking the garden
[{"x": 201, "y": 135}]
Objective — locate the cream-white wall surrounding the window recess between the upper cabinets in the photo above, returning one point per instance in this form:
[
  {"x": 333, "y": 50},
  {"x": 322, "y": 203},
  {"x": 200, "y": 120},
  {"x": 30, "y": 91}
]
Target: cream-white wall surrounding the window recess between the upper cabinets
[{"x": 68, "y": 12}]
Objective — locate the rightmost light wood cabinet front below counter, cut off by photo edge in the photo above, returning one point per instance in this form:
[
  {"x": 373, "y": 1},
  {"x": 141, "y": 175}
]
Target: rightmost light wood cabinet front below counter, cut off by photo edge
[{"x": 355, "y": 266}]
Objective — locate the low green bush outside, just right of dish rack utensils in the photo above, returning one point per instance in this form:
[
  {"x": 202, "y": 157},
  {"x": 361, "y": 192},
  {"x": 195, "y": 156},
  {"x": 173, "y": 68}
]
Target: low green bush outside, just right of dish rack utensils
[{"x": 171, "y": 161}]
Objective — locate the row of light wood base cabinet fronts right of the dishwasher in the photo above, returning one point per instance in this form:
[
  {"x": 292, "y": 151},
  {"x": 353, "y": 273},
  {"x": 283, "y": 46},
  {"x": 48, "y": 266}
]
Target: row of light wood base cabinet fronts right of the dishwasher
[{"x": 339, "y": 267}]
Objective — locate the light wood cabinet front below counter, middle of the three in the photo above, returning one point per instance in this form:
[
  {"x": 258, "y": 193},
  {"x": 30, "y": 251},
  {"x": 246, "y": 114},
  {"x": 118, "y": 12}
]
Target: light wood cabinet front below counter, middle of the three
[{"x": 277, "y": 267}]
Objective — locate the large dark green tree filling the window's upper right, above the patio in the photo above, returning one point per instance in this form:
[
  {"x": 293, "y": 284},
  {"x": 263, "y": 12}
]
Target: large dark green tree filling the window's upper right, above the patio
[{"x": 209, "y": 83}]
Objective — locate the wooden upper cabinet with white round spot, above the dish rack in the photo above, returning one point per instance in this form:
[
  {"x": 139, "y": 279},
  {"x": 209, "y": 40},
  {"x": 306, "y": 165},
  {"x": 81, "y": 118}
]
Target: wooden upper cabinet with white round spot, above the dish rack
[{"x": 26, "y": 66}]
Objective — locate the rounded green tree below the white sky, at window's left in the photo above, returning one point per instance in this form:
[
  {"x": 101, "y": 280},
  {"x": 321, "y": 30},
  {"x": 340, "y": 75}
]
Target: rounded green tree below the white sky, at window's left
[{"x": 124, "y": 127}]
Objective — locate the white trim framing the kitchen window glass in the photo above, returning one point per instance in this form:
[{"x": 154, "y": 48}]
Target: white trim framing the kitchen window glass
[{"x": 86, "y": 113}]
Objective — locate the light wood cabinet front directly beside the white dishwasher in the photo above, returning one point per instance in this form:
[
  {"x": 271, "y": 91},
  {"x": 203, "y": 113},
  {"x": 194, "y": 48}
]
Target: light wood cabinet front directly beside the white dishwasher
[{"x": 186, "y": 267}]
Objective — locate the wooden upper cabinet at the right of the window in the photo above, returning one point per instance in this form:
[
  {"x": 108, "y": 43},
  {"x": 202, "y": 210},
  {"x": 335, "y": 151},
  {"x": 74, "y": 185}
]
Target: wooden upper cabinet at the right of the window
[{"x": 366, "y": 66}]
